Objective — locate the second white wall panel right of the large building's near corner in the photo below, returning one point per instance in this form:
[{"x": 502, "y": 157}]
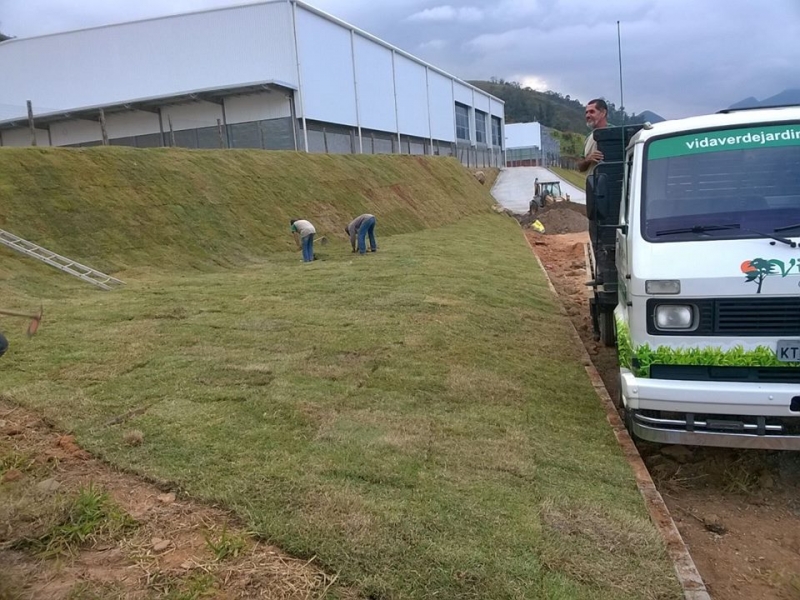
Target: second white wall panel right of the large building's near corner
[{"x": 375, "y": 85}]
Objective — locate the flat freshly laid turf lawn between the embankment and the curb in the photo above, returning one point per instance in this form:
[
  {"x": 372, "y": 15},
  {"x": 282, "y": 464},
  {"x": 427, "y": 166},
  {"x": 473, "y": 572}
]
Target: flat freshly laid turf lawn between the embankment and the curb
[{"x": 417, "y": 419}]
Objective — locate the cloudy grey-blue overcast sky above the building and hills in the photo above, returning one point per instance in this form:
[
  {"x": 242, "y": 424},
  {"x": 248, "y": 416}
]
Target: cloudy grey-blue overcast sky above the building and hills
[{"x": 680, "y": 57}]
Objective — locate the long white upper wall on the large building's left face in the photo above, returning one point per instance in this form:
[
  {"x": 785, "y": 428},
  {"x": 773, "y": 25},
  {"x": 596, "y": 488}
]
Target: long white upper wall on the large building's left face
[{"x": 148, "y": 59}]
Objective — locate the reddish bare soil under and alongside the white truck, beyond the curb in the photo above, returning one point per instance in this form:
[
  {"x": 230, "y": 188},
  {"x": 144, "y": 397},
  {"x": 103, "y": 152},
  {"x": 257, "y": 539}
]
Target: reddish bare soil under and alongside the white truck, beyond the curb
[{"x": 738, "y": 511}]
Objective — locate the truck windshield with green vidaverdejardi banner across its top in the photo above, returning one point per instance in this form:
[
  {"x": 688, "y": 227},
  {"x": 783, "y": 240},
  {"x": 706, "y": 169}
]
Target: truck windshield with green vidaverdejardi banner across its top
[{"x": 748, "y": 177}]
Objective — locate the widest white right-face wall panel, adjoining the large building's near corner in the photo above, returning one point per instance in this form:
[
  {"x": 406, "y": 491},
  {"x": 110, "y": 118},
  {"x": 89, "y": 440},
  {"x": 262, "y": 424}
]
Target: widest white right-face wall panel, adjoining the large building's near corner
[{"x": 326, "y": 65}]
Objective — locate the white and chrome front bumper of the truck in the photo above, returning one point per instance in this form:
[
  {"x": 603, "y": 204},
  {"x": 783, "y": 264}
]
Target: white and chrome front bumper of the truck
[{"x": 713, "y": 413}]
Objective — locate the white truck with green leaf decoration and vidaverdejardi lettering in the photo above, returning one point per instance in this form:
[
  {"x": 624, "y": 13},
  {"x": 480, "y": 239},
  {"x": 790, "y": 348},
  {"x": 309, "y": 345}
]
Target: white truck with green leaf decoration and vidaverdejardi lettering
[{"x": 694, "y": 228}]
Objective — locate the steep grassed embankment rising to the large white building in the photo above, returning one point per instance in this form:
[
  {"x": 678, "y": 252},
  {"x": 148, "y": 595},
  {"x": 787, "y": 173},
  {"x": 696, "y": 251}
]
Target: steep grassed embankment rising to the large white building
[{"x": 114, "y": 208}]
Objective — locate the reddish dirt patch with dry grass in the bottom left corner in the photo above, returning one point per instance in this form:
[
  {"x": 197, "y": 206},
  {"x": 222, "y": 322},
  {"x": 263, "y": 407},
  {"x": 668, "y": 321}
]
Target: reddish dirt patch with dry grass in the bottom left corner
[{"x": 175, "y": 548}]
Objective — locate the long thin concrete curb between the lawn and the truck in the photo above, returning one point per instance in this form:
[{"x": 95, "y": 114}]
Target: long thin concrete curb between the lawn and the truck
[{"x": 685, "y": 569}]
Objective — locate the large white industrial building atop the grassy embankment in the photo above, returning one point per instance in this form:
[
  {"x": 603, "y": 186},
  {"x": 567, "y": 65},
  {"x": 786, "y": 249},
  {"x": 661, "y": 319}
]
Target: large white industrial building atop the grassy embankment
[{"x": 278, "y": 74}]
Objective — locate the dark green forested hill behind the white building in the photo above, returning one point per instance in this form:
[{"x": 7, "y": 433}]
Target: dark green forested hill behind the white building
[{"x": 551, "y": 109}]
